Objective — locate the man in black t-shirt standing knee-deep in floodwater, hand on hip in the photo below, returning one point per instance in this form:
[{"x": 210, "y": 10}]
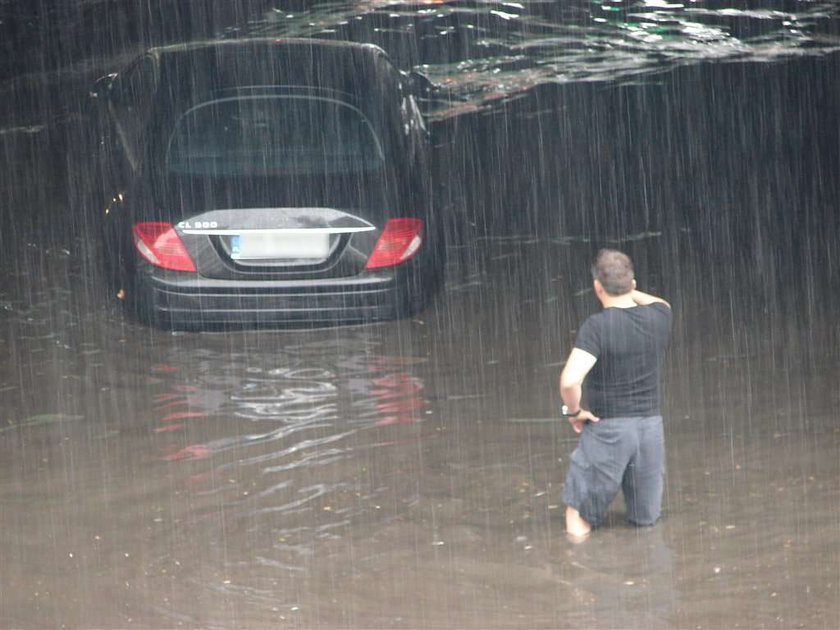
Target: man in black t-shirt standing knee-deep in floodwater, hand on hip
[{"x": 617, "y": 353}]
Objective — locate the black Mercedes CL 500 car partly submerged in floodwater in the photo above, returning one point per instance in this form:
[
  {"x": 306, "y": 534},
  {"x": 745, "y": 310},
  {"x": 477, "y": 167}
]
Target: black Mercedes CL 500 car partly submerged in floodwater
[{"x": 266, "y": 182}]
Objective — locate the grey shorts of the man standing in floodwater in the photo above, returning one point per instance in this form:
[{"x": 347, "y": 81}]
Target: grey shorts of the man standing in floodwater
[{"x": 625, "y": 453}]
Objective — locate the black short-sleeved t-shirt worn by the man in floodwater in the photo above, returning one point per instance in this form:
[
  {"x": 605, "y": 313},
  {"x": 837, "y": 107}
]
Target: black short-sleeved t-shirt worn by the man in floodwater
[{"x": 629, "y": 344}]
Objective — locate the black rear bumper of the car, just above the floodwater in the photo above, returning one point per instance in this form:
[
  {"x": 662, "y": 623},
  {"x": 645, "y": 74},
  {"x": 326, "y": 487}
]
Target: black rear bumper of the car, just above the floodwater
[{"x": 183, "y": 301}]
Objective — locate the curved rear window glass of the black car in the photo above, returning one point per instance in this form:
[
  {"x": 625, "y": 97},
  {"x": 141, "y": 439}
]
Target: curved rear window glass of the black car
[{"x": 273, "y": 135}]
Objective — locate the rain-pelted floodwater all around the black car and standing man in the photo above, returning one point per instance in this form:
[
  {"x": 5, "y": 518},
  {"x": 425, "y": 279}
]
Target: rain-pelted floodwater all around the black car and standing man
[{"x": 408, "y": 473}]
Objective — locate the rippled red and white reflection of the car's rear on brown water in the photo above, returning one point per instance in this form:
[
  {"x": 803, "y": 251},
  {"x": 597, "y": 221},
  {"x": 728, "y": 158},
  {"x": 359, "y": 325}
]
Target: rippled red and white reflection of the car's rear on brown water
[{"x": 299, "y": 406}]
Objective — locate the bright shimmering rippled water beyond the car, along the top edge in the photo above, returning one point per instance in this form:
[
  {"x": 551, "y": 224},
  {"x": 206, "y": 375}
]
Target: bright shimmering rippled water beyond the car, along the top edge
[{"x": 482, "y": 53}]
